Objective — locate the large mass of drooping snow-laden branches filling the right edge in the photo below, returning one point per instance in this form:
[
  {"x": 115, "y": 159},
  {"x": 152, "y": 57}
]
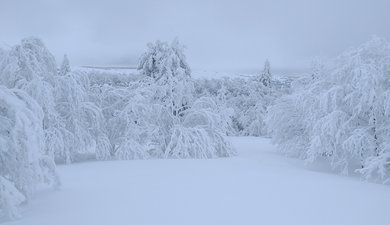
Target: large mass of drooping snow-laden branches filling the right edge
[{"x": 341, "y": 114}]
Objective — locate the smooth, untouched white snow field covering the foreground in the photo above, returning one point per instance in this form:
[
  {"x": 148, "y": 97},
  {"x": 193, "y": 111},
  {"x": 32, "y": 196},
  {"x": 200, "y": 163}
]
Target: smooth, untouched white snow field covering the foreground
[{"x": 257, "y": 187}]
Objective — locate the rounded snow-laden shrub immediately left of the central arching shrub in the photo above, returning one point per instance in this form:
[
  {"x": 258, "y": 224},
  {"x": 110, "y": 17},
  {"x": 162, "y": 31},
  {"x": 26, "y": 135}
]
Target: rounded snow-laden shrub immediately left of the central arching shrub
[{"x": 141, "y": 121}]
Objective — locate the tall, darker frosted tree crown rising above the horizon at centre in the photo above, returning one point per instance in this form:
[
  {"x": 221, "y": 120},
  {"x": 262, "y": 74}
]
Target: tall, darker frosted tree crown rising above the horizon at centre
[{"x": 166, "y": 65}]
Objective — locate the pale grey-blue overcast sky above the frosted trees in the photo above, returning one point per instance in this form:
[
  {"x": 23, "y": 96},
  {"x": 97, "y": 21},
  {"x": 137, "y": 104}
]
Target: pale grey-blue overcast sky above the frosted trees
[{"x": 219, "y": 34}]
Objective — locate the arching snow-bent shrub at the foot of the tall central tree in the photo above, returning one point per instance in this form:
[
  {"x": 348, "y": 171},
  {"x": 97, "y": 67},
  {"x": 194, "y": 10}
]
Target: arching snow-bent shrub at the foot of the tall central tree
[{"x": 202, "y": 134}]
